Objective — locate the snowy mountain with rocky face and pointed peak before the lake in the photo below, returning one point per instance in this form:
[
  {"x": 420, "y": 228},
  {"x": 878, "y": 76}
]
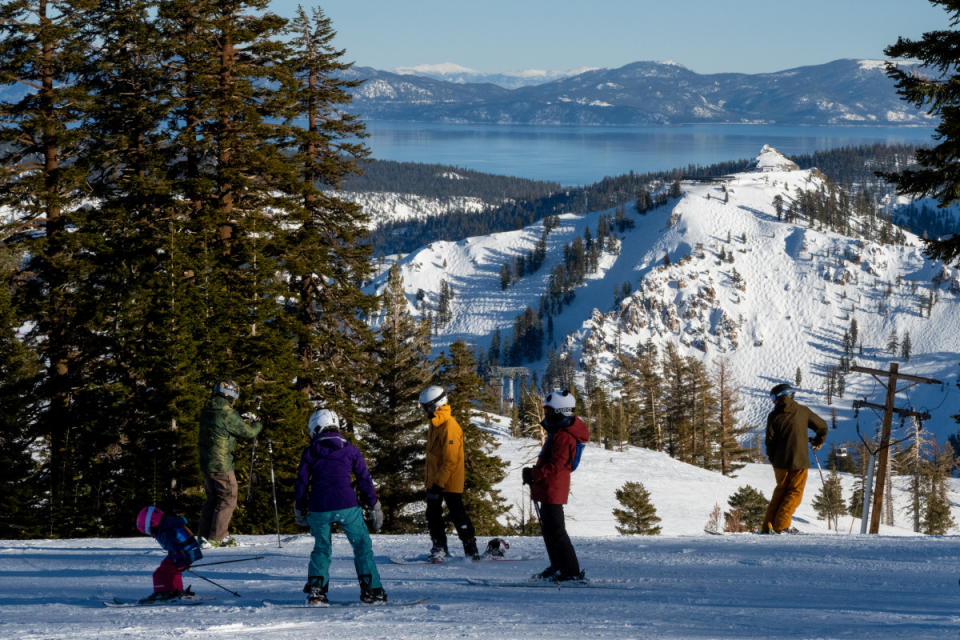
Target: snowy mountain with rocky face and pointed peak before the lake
[{"x": 800, "y": 289}]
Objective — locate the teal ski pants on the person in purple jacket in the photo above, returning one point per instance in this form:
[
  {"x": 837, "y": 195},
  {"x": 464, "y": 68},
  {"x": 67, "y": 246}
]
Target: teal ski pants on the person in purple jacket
[{"x": 351, "y": 521}]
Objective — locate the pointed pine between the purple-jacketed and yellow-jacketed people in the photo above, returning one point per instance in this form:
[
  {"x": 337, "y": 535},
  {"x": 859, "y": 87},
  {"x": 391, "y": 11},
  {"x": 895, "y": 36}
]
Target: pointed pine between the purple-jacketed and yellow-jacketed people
[{"x": 396, "y": 432}]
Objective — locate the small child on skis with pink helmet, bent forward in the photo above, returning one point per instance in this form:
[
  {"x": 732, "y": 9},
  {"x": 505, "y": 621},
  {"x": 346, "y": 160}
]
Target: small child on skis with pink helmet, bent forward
[{"x": 182, "y": 550}]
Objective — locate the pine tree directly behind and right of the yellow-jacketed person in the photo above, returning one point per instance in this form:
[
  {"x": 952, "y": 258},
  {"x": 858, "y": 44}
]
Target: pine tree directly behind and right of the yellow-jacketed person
[{"x": 484, "y": 469}]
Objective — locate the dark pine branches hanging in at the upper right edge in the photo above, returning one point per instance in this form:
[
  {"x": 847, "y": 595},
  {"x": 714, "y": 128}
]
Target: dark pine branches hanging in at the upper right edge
[{"x": 937, "y": 93}]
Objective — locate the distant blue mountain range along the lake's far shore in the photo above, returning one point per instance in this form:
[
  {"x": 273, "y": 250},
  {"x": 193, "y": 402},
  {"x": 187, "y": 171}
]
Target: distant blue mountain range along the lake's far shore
[{"x": 842, "y": 92}]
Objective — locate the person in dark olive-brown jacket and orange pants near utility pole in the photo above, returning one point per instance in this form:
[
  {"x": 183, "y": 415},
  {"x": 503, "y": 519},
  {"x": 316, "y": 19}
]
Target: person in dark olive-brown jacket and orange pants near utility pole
[{"x": 786, "y": 446}]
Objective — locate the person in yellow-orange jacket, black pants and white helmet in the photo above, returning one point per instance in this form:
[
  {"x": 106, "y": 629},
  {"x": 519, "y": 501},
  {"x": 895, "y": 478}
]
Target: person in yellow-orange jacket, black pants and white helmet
[{"x": 445, "y": 476}]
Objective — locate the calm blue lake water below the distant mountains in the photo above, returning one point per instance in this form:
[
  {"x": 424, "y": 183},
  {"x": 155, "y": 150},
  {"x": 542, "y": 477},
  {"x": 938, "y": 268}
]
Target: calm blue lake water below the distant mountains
[{"x": 583, "y": 155}]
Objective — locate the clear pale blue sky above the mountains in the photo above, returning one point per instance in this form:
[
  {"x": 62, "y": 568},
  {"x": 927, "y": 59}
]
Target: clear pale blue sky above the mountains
[{"x": 708, "y": 36}]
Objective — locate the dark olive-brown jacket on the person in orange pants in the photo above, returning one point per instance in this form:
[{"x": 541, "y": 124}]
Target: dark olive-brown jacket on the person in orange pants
[{"x": 787, "y": 428}]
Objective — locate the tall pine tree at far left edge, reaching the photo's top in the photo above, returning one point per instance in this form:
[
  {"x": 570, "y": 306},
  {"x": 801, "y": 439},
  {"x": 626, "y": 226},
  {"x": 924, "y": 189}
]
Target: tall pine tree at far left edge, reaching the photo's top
[{"x": 44, "y": 45}]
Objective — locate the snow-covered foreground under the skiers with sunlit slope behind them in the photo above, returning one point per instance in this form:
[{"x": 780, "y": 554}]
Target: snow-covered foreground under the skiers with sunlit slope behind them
[{"x": 681, "y": 584}]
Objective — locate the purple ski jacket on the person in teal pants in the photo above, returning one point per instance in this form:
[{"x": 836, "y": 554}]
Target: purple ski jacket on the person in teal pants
[{"x": 323, "y": 478}]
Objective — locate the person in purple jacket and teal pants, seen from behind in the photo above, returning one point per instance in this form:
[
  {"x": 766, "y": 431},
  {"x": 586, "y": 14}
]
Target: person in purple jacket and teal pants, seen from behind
[{"x": 324, "y": 495}]
